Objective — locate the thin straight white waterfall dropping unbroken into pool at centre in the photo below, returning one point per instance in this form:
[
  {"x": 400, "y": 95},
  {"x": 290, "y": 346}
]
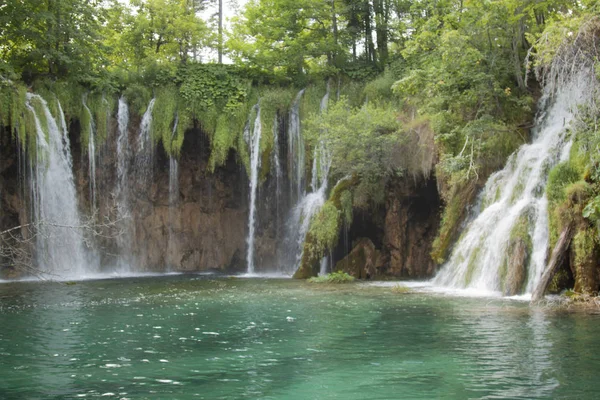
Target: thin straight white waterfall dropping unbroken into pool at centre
[{"x": 254, "y": 145}]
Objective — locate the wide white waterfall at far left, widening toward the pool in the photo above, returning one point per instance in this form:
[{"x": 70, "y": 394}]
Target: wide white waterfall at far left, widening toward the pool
[{"x": 60, "y": 252}]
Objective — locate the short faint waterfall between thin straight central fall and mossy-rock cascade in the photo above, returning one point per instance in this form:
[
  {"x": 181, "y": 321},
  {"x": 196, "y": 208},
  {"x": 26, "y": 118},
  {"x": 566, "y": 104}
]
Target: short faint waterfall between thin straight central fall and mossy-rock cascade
[{"x": 296, "y": 151}]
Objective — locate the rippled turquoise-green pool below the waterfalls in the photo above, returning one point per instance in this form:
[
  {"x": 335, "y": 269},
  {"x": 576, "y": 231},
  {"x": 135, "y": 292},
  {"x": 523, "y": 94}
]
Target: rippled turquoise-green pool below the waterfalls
[{"x": 181, "y": 337}]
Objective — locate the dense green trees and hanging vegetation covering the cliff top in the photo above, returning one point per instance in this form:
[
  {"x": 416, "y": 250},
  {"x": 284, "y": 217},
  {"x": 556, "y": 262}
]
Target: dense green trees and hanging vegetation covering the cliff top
[{"x": 418, "y": 88}]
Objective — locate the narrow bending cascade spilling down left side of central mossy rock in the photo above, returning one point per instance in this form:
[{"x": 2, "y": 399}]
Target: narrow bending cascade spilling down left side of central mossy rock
[{"x": 309, "y": 205}]
